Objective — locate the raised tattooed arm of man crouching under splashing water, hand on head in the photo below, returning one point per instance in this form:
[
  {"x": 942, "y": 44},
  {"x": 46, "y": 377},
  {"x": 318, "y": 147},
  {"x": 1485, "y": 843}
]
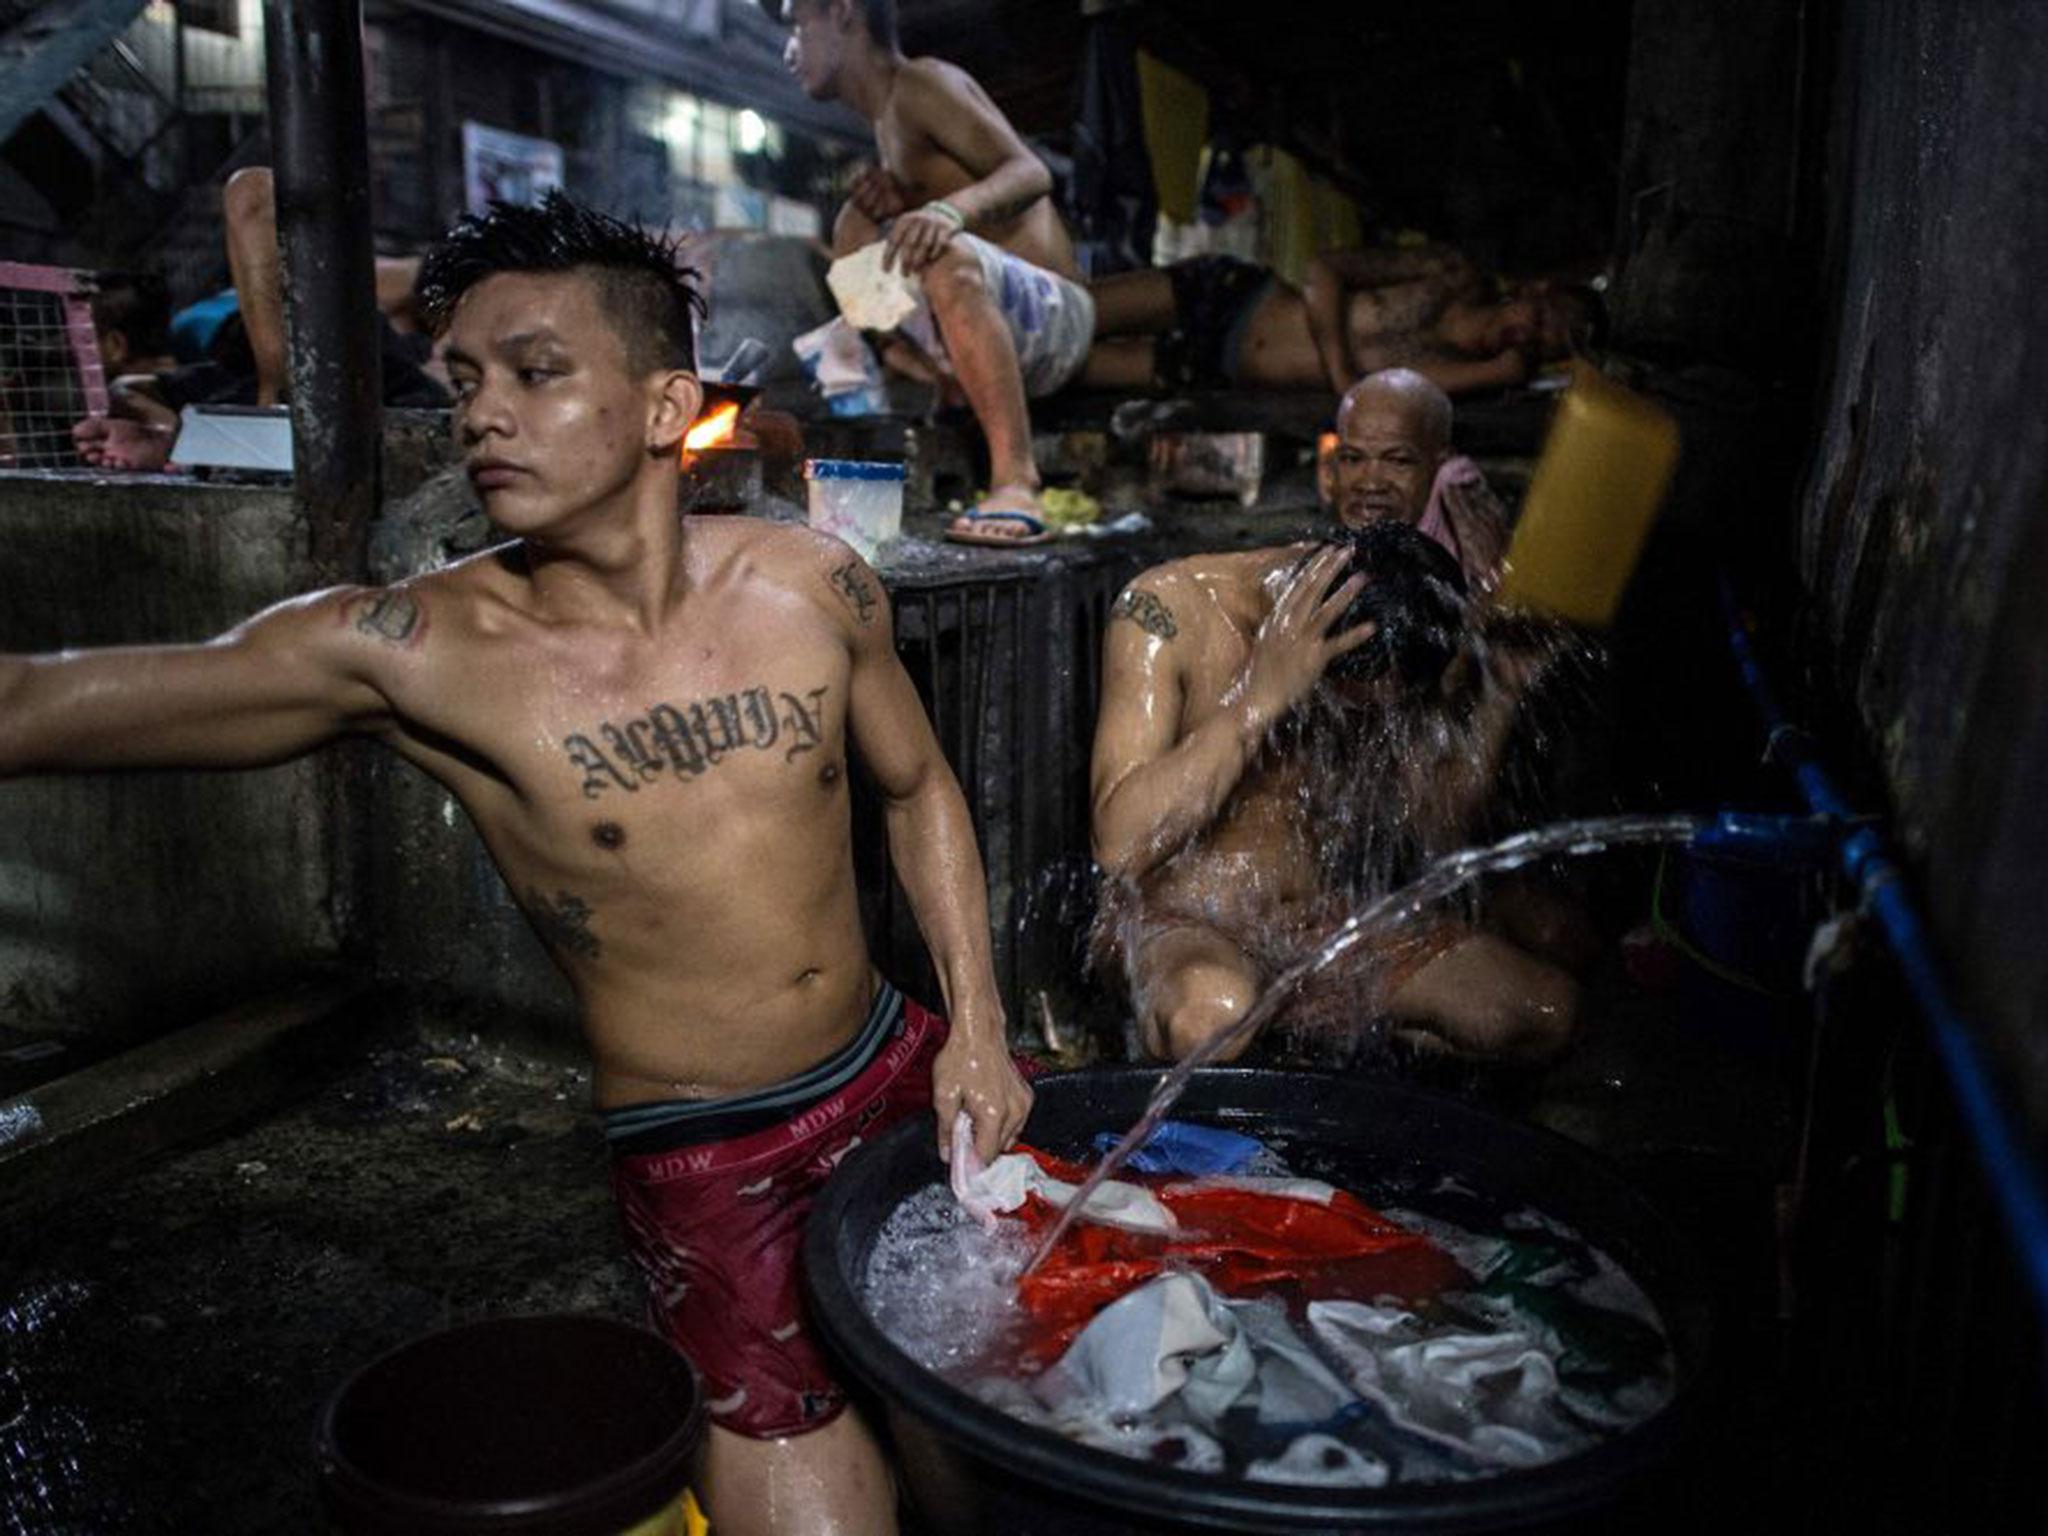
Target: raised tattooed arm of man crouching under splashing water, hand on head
[{"x": 1154, "y": 787}]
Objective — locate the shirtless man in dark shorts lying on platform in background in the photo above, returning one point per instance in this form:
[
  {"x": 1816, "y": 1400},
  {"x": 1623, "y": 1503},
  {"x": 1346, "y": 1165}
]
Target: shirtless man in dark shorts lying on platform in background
[{"x": 1215, "y": 323}]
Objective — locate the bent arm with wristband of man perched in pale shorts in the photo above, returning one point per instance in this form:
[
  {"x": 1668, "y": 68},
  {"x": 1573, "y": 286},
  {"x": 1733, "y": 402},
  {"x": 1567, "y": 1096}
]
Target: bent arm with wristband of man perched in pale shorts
[{"x": 955, "y": 118}]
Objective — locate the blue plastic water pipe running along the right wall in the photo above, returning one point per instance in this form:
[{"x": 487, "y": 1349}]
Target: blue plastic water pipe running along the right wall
[{"x": 2002, "y": 1150}]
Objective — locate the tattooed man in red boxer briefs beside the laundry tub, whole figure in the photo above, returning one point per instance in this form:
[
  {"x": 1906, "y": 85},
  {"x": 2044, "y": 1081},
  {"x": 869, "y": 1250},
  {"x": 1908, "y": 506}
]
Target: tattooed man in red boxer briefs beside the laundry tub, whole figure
[{"x": 650, "y": 720}]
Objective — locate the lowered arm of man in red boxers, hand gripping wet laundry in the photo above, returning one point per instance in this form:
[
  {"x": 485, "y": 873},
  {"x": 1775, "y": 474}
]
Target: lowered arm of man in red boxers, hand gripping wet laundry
[{"x": 933, "y": 849}]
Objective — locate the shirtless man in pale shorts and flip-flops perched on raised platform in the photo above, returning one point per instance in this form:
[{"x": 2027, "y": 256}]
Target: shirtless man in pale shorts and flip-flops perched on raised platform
[{"x": 966, "y": 208}]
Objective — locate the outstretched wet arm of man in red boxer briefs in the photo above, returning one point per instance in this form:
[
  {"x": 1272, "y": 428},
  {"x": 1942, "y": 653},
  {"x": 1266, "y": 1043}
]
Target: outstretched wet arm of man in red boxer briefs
[{"x": 280, "y": 685}]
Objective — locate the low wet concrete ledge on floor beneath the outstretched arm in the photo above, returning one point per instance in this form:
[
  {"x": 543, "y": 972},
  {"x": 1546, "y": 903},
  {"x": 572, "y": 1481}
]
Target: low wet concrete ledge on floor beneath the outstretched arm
[{"x": 99, "y": 1121}]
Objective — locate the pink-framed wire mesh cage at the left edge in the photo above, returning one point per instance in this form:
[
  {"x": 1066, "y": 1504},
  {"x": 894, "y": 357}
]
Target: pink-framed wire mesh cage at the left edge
[{"x": 50, "y": 366}]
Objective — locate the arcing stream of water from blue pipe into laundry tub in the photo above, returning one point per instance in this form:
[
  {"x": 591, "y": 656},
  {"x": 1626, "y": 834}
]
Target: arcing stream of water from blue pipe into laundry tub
[{"x": 1383, "y": 916}]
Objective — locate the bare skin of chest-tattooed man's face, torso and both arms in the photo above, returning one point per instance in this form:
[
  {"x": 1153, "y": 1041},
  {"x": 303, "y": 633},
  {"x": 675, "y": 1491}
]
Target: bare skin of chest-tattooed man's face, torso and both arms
[{"x": 648, "y": 722}]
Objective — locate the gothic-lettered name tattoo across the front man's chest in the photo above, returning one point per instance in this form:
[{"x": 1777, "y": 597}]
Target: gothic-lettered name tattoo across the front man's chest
[{"x": 691, "y": 740}]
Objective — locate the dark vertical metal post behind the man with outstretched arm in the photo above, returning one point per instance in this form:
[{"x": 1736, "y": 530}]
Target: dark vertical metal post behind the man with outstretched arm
[{"x": 321, "y": 159}]
